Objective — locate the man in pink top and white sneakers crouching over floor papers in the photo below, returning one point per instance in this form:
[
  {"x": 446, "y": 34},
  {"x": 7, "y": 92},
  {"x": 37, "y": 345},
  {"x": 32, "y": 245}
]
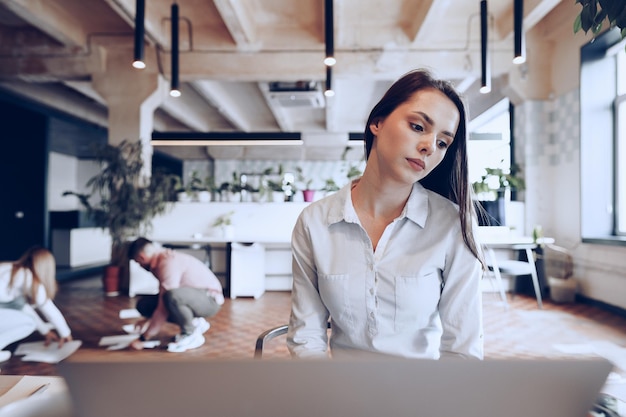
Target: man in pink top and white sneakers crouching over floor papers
[{"x": 188, "y": 292}]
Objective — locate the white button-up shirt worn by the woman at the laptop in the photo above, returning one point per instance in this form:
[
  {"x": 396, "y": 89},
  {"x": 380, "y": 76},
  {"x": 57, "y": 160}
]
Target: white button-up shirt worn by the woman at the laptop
[{"x": 417, "y": 295}]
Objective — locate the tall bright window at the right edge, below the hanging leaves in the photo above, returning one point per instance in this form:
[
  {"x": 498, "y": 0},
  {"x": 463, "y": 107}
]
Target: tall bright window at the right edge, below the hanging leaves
[{"x": 603, "y": 140}]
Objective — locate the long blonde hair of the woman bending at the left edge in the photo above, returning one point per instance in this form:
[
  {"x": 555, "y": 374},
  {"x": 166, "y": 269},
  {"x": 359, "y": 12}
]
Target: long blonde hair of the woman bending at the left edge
[{"x": 40, "y": 262}]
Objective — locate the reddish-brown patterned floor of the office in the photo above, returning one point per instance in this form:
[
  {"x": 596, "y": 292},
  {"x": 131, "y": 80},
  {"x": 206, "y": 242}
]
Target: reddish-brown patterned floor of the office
[{"x": 521, "y": 331}]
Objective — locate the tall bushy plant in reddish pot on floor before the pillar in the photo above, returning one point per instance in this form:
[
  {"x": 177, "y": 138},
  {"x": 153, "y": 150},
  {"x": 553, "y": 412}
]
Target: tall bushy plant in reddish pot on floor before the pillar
[{"x": 123, "y": 200}]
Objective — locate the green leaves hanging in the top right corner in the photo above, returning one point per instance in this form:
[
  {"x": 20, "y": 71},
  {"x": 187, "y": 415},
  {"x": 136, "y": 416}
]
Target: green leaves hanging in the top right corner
[{"x": 595, "y": 13}]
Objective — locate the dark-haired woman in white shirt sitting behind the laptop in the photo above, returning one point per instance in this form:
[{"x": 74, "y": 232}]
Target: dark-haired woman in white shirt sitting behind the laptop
[{"x": 391, "y": 259}]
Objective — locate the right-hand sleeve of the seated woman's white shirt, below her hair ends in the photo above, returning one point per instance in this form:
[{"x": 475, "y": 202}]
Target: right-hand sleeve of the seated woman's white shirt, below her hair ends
[{"x": 460, "y": 306}]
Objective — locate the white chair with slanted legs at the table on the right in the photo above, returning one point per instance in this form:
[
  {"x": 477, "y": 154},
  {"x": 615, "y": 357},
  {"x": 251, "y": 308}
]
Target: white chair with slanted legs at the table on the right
[{"x": 514, "y": 268}]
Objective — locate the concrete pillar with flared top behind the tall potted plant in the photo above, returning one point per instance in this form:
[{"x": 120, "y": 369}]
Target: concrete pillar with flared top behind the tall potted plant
[{"x": 132, "y": 96}]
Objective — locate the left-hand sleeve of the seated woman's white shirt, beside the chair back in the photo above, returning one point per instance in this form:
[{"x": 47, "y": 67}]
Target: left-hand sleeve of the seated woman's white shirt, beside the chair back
[{"x": 308, "y": 335}]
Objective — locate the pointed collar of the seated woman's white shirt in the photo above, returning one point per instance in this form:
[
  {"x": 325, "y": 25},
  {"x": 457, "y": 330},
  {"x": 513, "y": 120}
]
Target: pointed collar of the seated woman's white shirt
[{"x": 416, "y": 208}]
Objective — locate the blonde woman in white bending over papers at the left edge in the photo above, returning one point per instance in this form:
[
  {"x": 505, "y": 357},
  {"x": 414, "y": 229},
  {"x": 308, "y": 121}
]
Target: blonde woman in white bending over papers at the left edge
[{"x": 26, "y": 284}]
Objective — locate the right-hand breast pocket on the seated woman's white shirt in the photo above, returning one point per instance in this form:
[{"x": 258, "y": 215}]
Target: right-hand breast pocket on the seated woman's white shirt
[{"x": 417, "y": 297}]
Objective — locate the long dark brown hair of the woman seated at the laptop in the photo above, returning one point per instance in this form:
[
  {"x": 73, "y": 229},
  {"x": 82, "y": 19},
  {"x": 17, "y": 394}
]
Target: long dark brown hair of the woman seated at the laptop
[{"x": 450, "y": 178}]
